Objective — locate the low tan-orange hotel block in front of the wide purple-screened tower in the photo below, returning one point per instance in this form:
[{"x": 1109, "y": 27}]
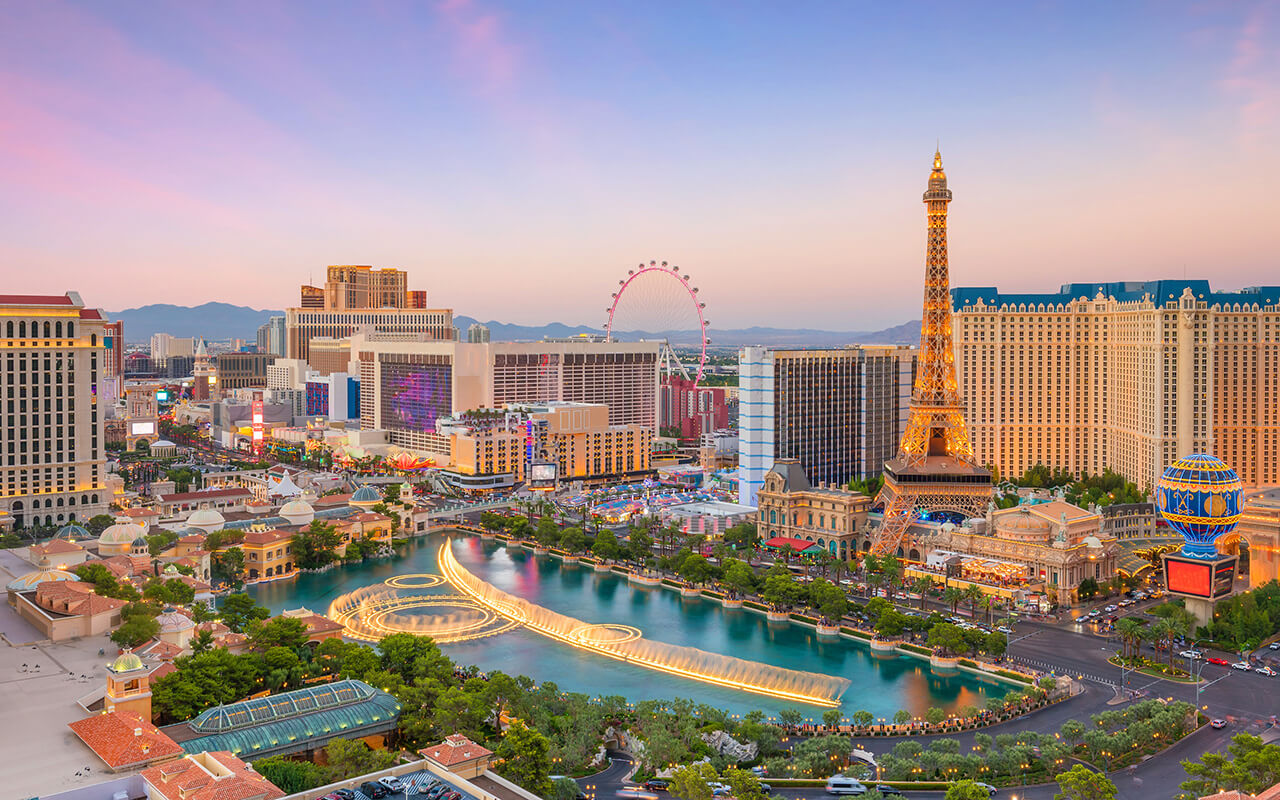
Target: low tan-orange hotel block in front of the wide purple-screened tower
[{"x": 578, "y": 438}]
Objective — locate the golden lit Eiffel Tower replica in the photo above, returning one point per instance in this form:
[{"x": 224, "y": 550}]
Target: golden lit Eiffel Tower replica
[{"x": 935, "y": 469}]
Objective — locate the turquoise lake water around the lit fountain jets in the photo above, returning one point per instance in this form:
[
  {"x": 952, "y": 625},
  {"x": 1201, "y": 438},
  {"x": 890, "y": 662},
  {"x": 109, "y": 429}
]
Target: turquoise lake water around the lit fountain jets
[{"x": 880, "y": 685}]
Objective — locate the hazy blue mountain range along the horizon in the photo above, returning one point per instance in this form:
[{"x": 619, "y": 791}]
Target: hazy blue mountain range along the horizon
[{"x": 222, "y": 322}]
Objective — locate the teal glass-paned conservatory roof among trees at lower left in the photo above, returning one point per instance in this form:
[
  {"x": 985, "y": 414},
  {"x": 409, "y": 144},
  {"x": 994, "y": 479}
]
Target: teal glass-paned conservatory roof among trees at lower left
[{"x": 295, "y": 721}]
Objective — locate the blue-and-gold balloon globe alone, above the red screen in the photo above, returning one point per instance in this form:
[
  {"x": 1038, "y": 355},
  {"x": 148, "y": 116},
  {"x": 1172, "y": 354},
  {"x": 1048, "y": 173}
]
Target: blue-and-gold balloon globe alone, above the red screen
[{"x": 1200, "y": 497}]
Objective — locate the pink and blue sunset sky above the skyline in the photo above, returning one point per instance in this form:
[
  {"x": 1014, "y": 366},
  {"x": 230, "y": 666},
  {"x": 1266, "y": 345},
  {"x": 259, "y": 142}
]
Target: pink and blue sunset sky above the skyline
[{"x": 519, "y": 158}]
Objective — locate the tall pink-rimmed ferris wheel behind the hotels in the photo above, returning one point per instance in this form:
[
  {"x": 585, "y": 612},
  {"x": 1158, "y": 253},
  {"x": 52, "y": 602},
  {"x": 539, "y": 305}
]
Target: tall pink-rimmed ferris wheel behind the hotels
[{"x": 656, "y": 303}]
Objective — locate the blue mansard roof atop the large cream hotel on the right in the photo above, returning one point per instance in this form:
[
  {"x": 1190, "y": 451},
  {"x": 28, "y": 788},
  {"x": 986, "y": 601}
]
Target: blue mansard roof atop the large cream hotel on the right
[{"x": 1123, "y": 291}]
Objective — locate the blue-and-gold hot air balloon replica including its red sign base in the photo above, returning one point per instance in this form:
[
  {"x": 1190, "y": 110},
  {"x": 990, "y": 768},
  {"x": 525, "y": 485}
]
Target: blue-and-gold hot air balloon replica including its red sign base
[{"x": 1200, "y": 497}]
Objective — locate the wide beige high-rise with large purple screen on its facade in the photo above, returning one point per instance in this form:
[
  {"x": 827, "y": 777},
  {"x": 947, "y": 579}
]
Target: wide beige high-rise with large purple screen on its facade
[{"x": 408, "y": 385}]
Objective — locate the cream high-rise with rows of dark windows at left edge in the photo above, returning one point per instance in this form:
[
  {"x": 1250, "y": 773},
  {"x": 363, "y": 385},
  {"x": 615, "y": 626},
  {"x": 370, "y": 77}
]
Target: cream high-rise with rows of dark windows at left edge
[{"x": 53, "y": 464}]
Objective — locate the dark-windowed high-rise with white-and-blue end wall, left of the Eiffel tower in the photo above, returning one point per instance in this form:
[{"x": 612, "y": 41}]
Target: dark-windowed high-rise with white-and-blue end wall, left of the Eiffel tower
[{"x": 839, "y": 413}]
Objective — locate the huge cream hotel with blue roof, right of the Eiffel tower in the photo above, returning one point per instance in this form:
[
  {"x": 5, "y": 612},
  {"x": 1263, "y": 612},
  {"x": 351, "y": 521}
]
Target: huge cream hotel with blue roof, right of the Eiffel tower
[{"x": 1128, "y": 377}]
